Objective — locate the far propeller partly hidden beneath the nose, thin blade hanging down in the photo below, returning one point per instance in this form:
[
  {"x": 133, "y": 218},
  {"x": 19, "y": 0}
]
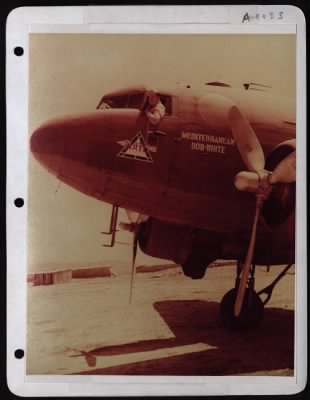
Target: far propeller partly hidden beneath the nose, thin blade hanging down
[{"x": 134, "y": 226}]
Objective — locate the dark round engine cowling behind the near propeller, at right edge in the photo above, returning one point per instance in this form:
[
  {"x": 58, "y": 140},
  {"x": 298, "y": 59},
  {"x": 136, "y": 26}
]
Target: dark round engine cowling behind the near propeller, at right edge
[{"x": 281, "y": 201}]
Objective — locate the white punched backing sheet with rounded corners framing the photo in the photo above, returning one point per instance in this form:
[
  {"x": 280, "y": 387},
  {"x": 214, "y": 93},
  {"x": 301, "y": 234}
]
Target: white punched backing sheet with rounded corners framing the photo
[{"x": 135, "y": 19}]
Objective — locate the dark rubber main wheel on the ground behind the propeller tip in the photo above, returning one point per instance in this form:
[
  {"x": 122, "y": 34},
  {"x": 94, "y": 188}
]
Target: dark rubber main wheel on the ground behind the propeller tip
[{"x": 251, "y": 314}]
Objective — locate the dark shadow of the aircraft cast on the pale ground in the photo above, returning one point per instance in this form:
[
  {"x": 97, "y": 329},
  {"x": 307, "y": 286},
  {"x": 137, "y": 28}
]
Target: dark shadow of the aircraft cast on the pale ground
[{"x": 267, "y": 348}]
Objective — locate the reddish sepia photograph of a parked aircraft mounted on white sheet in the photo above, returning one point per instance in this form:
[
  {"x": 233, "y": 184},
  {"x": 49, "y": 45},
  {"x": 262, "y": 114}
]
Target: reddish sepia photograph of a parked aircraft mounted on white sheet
[{"x": 161, "y": 204}]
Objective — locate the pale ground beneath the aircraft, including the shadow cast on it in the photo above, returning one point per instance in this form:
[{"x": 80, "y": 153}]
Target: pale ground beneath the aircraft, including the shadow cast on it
[{"x": 171, "y": 327}]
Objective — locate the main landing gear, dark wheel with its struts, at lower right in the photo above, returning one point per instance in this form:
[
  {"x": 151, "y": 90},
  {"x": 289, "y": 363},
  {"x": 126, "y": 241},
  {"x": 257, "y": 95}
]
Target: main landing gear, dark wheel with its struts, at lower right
[{"x": 253, "y": 306}]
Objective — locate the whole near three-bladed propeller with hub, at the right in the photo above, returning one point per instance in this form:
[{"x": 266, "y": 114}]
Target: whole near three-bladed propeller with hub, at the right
[{"x": 257, "y": 180}]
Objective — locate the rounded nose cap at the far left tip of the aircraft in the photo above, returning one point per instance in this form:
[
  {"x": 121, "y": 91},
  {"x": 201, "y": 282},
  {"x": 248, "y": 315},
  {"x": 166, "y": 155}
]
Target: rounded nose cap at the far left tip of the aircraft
[{"x": 47, "y": 145}]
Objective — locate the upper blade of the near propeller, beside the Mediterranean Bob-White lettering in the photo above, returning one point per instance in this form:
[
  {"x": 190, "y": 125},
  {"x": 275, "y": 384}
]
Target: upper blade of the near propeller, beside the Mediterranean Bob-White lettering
[{"x": 249, "y": 147}]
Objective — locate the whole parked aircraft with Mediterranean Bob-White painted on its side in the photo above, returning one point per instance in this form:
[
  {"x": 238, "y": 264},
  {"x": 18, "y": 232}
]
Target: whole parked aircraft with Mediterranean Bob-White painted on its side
[{"x": 213, "y": 179}]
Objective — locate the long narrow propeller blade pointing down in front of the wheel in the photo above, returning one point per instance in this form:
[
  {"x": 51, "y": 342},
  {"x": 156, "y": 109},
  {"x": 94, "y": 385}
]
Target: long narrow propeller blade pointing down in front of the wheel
[{"x": 247, "y": 262}]
